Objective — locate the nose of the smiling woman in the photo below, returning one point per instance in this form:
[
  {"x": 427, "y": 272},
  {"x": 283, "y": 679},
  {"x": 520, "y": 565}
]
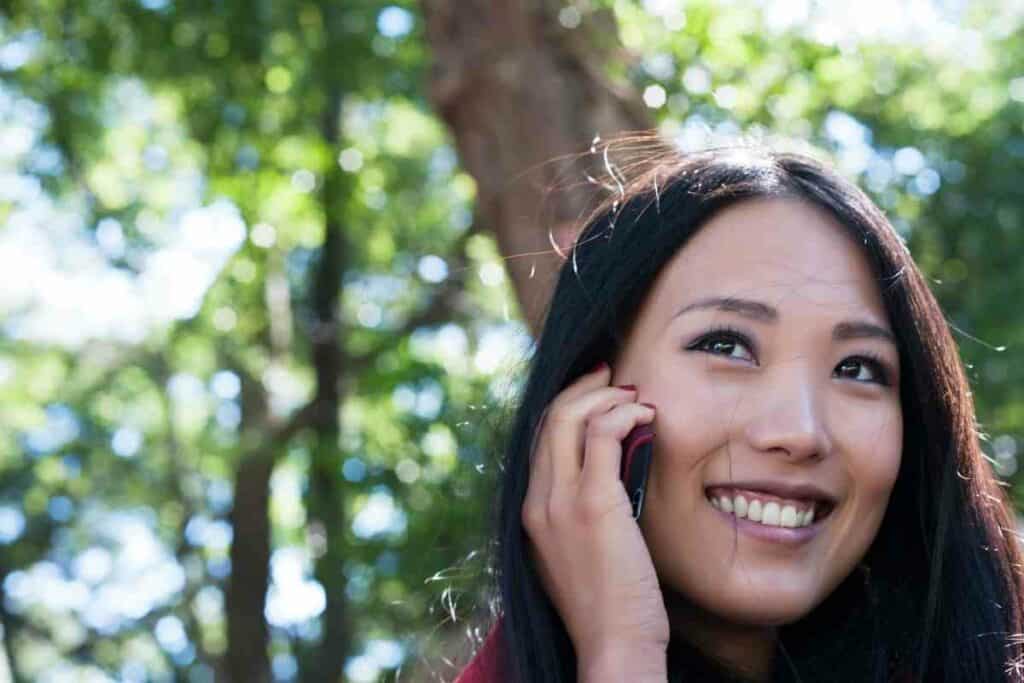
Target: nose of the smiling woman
[{"x": 788, "y": 416}]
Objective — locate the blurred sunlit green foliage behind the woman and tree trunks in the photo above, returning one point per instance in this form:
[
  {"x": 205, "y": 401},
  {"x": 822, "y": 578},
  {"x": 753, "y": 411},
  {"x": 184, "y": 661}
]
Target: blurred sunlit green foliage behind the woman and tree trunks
[{"x": 164, "y": 204}]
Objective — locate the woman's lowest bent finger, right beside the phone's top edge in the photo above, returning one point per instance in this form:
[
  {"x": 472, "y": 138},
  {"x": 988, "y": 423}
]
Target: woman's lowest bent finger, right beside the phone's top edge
[{"x": 605, "y": 453}]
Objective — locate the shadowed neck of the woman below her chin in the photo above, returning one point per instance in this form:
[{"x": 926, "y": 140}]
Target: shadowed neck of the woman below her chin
[{"x": 747, "y": 650}]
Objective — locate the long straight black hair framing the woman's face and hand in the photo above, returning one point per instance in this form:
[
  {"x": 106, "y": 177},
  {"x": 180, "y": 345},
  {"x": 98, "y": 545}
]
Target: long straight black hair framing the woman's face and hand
[{"x": 938, "y": 594}]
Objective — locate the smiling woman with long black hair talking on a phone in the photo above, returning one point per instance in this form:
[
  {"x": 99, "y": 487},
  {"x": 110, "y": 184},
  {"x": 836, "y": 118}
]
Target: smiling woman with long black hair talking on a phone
[{"x": 819, "y": 508}]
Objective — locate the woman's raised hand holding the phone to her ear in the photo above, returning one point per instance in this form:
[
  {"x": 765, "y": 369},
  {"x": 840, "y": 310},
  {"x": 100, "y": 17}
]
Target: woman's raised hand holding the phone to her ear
[{"x": 590, "y": 553}]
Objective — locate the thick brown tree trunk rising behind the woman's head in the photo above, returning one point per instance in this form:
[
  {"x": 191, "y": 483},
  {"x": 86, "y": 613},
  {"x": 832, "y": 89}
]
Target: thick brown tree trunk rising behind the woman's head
[{"x": 519, "y": 90}]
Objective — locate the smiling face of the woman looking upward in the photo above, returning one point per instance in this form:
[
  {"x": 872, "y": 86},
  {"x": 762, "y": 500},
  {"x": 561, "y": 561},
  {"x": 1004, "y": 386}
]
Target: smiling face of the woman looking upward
[{"x": 793, "y": 406}]
